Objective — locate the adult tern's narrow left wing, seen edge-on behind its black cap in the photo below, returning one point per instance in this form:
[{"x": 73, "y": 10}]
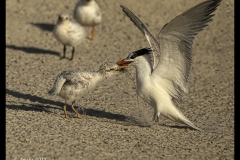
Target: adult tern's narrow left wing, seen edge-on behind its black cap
[{"x": 151, "y": 40}]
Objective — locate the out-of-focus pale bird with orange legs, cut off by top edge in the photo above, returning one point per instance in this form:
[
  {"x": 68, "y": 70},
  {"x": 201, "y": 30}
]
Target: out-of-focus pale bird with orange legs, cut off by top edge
[{"x": 87, "y": 13}]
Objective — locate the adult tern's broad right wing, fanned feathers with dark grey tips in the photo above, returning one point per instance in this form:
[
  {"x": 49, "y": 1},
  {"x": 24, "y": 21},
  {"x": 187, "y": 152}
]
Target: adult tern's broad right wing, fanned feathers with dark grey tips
[{"x": 176, "y": 40}]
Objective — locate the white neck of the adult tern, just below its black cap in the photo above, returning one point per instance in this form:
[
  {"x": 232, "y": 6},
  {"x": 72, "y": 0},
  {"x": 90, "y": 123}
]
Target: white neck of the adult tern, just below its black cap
[{"x": 143, "y": 67}]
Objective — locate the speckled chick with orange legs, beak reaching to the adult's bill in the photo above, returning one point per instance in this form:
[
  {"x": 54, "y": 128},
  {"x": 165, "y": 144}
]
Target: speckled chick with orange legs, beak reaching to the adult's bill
[{"x": 72, "y": 85}]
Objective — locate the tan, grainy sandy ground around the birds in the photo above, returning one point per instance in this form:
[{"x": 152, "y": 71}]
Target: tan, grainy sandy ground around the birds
[{"x": 35, "y": 124}]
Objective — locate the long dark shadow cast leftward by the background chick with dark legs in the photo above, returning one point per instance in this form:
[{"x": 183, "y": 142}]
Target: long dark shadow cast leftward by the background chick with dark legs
[{"x": 33, "y": 50}]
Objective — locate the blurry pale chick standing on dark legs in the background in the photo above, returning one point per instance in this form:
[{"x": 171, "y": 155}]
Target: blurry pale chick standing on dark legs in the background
[{"x": 69, "y": 33}]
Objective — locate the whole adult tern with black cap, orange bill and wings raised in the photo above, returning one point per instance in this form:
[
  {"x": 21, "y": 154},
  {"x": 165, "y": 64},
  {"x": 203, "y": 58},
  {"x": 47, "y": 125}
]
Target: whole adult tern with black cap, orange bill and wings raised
[{"x": 162, "y": 72}]
